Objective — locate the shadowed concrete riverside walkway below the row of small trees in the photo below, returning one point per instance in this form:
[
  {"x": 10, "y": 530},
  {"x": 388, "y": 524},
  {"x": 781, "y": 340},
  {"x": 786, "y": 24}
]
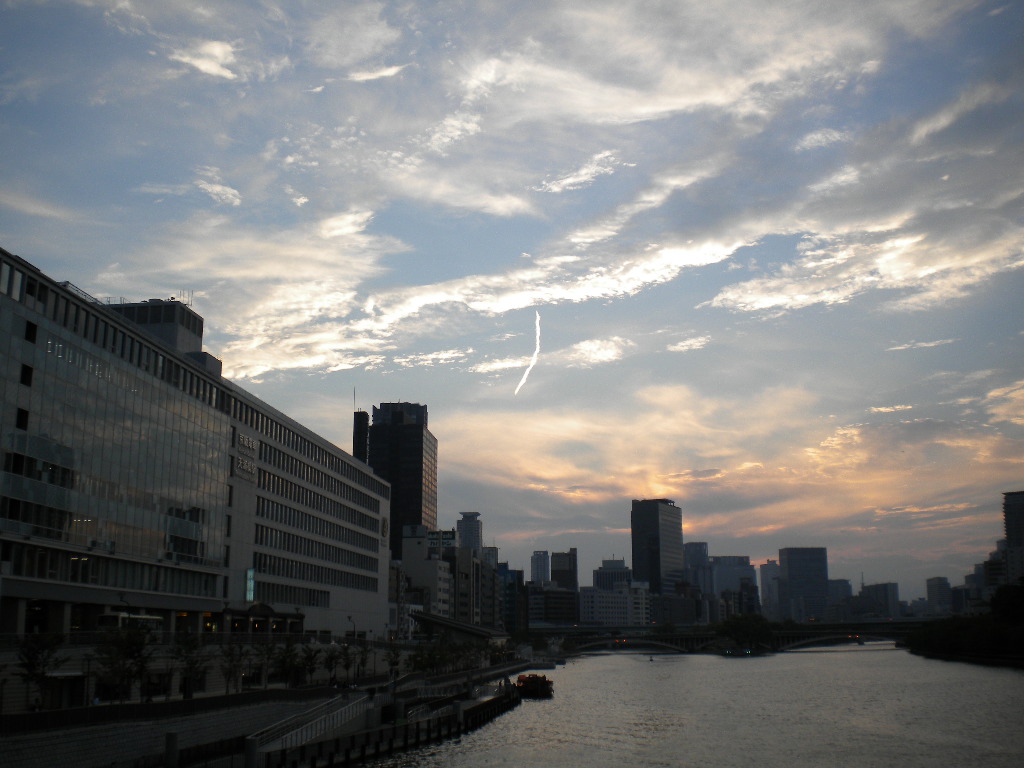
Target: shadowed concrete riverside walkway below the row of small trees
[{"x": 120, "y": 745}]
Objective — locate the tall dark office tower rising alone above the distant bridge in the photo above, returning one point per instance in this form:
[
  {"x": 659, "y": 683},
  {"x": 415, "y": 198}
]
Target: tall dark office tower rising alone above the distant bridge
[{"x": 658, "y": 544}]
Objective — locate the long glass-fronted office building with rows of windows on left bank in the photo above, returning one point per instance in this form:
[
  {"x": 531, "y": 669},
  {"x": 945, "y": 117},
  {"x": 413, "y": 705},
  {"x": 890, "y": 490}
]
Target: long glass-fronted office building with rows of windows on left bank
[{"x": 137, "y": 480}]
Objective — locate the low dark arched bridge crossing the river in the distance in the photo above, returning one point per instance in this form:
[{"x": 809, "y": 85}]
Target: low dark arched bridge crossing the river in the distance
[{"x": 705, "y": 639}]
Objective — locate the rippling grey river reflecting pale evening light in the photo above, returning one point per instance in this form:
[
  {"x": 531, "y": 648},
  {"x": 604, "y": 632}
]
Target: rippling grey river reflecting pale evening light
[{"x": 862, "y": 707}]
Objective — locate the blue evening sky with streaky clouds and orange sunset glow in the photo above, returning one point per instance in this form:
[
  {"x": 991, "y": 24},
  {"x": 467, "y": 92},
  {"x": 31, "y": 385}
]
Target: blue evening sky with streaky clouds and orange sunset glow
[{"x": 762, "y": 260}]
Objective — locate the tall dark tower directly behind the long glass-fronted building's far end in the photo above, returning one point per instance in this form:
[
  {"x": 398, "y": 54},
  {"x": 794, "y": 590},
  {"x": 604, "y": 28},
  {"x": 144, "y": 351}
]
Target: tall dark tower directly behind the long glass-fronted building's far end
[{"x": 403, "y": 451}]
